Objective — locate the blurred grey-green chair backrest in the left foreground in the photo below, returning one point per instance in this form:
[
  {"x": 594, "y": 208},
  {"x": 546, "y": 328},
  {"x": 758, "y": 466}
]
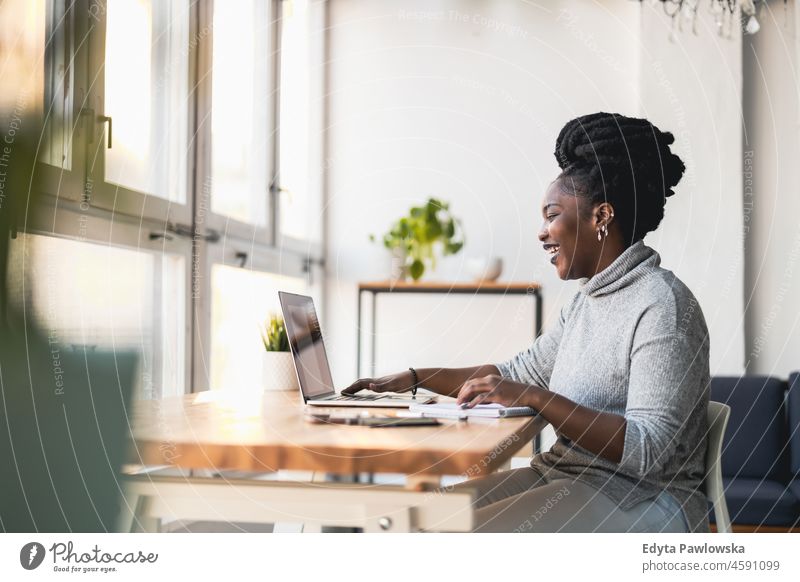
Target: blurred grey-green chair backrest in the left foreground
[{"x": 62, "y": 444}]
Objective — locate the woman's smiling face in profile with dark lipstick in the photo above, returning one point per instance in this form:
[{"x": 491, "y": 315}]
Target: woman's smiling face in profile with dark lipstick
[{"x": 568, "y": 233}]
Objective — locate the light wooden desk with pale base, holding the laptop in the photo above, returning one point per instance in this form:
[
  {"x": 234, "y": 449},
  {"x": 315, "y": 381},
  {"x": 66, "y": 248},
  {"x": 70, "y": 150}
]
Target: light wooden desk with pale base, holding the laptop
[{"x": 258, "y": 433}]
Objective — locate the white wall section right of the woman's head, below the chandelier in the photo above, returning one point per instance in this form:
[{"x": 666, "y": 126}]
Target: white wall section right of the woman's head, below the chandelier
[{"x": 692, "y": 86}]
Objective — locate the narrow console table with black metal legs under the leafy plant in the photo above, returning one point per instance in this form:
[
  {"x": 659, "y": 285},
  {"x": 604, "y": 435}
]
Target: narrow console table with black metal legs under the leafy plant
[{"x": 376, "y": 288}]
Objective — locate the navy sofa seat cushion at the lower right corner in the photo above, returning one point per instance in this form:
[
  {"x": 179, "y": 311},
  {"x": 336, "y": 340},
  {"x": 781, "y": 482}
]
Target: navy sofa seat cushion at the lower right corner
[{"x": 757, "y": 502}]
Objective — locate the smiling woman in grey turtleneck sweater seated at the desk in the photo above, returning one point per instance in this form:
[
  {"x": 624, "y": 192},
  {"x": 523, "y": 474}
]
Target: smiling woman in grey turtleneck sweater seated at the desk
[{"x": 623, "y": 374}]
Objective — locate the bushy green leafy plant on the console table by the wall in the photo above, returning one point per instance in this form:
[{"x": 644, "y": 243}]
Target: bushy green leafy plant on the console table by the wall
[{"x": 413, "y": 239}]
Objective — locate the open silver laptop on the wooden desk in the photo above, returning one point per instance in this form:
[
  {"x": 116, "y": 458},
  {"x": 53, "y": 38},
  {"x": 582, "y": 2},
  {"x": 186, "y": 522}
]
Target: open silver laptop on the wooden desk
[{"x": 311, "y": 362}]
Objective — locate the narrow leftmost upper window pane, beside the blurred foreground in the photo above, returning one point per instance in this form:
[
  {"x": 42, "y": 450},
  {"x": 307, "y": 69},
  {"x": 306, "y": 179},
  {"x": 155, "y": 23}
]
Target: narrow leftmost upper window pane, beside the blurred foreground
[{"x": 58, "y": 87}]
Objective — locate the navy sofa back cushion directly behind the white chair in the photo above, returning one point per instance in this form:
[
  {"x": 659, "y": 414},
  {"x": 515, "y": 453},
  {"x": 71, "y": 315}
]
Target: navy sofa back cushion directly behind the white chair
[{"x": 755, "y": 443}]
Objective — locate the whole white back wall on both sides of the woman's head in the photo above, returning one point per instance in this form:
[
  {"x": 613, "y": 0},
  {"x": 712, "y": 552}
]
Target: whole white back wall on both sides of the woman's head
[{"x": 464, "y": 99}]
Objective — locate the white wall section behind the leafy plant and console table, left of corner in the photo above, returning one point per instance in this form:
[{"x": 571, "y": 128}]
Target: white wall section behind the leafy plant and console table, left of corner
[{"x": 463, "y": 100}]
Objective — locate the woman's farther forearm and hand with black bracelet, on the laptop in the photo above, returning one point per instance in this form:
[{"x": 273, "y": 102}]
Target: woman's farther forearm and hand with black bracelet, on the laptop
[{"x": 446, "y": 381}]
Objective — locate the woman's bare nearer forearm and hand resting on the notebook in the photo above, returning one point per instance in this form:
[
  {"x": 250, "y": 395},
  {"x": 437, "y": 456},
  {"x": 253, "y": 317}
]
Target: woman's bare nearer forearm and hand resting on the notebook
[{"x": 601, "y": 433}]
